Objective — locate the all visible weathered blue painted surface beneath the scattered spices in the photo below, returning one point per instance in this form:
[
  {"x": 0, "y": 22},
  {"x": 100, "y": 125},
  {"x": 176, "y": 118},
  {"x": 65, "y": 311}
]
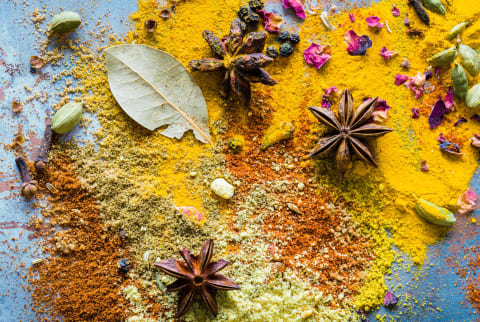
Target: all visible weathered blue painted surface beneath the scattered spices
[{"x": 436, "y": 285}]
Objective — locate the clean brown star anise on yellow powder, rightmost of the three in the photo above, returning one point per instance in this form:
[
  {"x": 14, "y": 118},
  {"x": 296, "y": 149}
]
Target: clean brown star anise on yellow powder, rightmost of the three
[{"x": 351, "y": 128}]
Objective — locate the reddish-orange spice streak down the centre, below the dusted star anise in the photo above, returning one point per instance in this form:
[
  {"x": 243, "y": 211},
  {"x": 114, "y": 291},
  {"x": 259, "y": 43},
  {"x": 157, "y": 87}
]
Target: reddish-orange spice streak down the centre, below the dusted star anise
[{"x": 323, "y": 238}]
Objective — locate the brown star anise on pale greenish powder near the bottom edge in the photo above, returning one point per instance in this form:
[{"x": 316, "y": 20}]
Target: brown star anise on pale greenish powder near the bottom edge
[{"x": 197, "y": 275}]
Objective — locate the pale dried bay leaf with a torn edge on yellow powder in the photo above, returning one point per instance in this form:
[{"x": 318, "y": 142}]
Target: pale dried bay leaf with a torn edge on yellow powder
[{"x": 155, "y": 89}]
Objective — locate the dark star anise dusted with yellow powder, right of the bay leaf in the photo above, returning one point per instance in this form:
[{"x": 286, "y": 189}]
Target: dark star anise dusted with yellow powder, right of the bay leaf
[{"x": 241, "y": 58}]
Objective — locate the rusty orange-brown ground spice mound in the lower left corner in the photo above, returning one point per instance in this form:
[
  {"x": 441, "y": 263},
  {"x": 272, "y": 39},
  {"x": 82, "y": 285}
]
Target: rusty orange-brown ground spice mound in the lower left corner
[{"x": 79, "y": 280}]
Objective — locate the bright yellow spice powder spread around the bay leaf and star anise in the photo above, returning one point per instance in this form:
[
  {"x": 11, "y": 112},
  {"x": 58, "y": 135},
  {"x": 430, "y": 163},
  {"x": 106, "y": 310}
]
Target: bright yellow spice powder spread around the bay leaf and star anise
[{"x": 389, "y": 192}]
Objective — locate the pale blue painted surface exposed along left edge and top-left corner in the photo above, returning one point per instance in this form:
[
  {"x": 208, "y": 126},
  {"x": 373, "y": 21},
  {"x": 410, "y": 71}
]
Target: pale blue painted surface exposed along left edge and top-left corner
[{"x": 17, "y": 40}]
